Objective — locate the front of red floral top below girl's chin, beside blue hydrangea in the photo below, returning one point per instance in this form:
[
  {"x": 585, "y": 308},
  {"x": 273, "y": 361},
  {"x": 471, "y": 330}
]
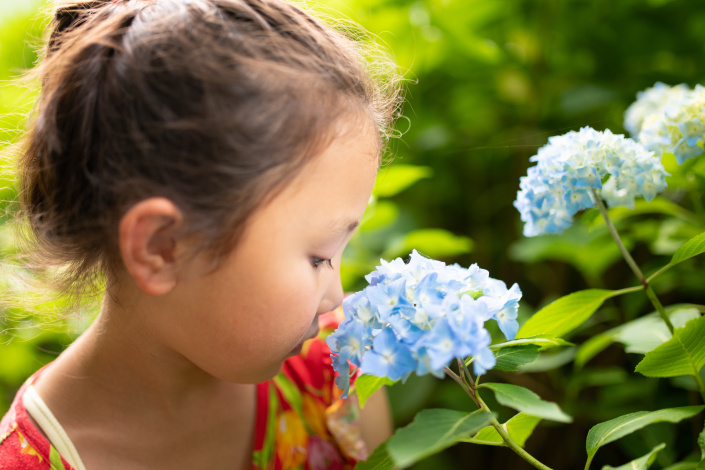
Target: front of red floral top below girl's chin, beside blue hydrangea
[{"x": 301, "y": 420}]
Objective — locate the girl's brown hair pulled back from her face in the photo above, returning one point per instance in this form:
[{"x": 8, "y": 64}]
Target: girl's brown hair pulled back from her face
[{"x": 214, "y": 104}]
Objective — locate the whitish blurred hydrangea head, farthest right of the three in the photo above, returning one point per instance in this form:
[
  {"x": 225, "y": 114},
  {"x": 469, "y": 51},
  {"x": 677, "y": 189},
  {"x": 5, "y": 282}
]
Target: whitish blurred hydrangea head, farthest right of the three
[{"x": 678, "y": 126}]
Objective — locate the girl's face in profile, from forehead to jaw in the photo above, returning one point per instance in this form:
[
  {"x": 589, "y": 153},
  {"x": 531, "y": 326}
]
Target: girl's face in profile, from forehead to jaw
[{"x": 240, "y": 322}]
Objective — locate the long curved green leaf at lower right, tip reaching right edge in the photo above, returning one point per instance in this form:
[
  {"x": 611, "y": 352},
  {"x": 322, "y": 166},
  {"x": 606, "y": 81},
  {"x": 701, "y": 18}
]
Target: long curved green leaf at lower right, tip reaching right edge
[{"x": 609, "y": 431}]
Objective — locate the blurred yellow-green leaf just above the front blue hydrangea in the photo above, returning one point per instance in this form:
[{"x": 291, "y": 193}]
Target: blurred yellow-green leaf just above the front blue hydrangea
[{"x": 431, "y": 242}]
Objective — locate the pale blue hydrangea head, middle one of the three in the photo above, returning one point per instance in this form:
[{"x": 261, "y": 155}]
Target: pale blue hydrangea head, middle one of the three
[{"x": 573, "y": 164}]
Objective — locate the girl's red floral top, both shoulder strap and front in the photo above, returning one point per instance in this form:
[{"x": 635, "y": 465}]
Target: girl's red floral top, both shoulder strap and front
[{"x": 302, "y": 423}]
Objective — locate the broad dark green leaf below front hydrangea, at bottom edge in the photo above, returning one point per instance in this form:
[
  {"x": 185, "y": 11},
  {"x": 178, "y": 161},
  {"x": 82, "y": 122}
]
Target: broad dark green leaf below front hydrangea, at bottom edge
[{"x": 431, "y": 432}]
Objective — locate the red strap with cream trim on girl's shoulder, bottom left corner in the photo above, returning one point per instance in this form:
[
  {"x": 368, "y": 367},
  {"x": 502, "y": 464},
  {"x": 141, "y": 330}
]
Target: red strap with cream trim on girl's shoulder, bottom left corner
[{"x": 22, "y": 445}]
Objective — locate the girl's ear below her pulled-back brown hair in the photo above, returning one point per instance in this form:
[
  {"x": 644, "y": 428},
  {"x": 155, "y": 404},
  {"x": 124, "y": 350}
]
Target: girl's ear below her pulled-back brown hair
[{"x": 148, "y": 244}]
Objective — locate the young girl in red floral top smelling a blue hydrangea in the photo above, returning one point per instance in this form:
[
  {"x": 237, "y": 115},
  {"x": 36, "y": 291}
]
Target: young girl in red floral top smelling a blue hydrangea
[{"x": 207, "y": 161}]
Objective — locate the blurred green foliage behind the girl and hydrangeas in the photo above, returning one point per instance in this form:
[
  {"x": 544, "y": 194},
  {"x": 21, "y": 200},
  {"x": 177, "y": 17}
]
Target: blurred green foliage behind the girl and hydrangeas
[{"x": 488, "y": 82}]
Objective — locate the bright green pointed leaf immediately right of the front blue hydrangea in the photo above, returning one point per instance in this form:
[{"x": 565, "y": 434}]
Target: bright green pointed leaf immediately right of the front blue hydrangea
[{"x": 565, "y": 314}]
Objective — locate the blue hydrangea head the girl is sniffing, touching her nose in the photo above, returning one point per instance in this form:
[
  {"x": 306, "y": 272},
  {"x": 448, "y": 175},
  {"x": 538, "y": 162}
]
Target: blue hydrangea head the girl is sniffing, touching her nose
[{"x": 418, "y": 317}]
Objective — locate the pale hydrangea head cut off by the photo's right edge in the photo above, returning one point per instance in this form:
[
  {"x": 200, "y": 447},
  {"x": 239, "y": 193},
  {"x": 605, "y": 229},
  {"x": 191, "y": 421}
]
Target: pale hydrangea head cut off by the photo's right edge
[{"x": 669, "y": 120}]
